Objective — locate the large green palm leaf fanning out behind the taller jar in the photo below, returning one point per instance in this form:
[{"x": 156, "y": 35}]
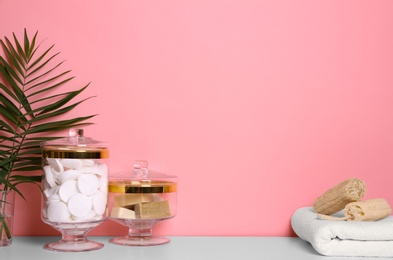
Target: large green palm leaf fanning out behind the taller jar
[{"x": 31, "y": 105}]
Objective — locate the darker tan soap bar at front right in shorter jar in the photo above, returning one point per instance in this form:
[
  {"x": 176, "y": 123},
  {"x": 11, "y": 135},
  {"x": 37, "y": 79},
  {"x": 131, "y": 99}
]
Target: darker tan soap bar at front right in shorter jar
[{"x": 153, "y": 210}]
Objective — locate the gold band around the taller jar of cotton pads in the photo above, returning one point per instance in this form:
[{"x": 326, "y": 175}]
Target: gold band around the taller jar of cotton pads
[{"x": 76, "y": 154}]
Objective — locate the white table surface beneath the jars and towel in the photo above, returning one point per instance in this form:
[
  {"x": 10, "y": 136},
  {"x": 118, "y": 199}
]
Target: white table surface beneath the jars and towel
[{"x": 180, "y": 248}]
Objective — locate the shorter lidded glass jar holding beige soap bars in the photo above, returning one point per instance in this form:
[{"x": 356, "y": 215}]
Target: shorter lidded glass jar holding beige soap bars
[{"x": 139, "y": 200}]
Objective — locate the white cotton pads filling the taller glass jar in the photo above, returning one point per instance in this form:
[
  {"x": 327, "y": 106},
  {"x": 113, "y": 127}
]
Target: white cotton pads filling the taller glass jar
[{"x": 75, "y": 190}]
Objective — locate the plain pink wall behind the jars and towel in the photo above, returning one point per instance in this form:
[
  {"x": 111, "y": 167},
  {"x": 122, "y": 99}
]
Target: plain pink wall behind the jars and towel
[{"x": 257, "y": 106}]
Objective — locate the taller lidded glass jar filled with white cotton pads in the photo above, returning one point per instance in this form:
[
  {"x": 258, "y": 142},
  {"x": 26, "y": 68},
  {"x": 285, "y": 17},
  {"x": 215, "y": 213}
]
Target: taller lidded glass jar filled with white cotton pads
[{"x": 75, "y": 189}]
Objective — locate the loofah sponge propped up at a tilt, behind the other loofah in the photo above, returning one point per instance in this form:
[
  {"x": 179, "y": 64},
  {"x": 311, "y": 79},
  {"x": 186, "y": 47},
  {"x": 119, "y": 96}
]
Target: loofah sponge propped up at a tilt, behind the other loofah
[{"x": 337, "y": 197}]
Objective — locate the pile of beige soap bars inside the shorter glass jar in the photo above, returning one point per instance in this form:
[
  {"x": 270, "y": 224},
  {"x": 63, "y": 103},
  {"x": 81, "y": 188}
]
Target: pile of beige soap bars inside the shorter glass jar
[{"x": 140, "y": 206}]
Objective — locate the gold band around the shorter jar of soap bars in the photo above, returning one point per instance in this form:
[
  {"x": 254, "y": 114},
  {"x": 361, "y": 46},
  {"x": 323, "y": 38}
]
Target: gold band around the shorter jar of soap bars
[{"x": 144, "y": 187}]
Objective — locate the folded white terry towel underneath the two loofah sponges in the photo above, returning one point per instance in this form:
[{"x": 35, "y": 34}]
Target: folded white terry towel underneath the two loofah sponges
[{"x": 344, "y": 238}]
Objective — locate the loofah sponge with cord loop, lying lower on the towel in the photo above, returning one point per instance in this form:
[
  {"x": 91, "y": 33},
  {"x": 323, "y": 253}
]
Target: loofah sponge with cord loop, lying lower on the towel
[{"x": 367, "y": 210}]
